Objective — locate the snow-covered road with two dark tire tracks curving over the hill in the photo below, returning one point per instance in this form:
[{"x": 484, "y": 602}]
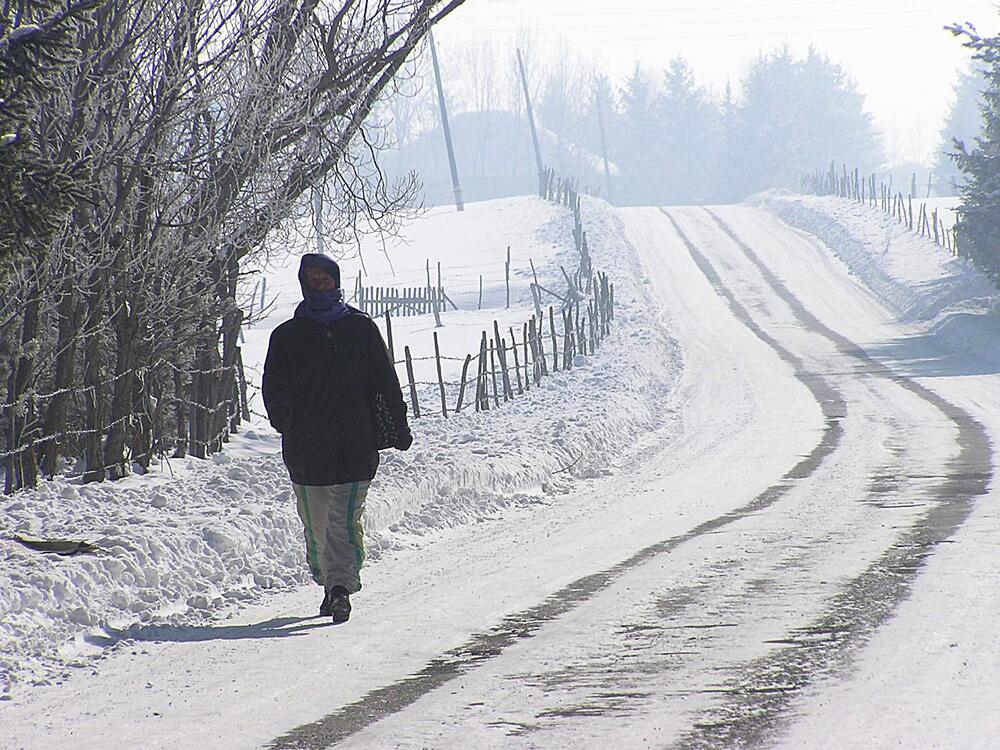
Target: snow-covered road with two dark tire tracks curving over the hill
[{"x": 803, "y": 557}]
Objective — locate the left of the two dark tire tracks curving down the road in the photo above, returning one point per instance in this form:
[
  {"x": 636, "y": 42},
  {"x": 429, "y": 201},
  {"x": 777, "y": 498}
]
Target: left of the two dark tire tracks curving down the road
[{"x": 482, "y": 647}]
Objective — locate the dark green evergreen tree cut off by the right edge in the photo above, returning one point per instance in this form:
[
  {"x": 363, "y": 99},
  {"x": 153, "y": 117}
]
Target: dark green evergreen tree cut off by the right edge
[{"x": 978, "y": 224}]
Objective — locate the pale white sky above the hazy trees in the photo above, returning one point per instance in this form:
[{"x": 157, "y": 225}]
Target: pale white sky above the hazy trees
[{"x": 896, "y": 50}]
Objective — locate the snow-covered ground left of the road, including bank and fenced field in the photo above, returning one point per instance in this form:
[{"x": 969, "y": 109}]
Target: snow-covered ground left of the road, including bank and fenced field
[{"x": 192, "y": 540}]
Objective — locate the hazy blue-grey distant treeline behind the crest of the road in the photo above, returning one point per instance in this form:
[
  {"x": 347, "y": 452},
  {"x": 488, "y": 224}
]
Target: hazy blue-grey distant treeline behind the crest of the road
[{"x": 666, "y": 139}]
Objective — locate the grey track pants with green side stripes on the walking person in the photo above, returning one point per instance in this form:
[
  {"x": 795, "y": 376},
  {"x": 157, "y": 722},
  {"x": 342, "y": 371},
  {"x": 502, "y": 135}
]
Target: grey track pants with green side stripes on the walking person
[{"x": 335, "y": 539}]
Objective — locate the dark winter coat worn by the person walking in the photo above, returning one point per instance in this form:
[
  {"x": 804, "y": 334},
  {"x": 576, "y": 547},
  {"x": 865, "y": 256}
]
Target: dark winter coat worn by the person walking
[{"x": 319, "y": 387}]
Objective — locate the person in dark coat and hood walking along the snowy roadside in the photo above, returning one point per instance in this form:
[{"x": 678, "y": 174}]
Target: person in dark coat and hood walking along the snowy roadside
[{"x": 331, "y": 390}]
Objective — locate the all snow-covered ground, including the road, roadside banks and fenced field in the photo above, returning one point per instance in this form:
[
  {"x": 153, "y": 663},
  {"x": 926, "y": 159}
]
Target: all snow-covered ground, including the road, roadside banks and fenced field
[{"x": 638, "y": 514}]
